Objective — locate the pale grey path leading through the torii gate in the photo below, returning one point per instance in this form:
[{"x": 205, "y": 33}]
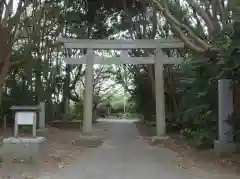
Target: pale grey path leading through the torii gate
[{"x": 126, "y": 156}]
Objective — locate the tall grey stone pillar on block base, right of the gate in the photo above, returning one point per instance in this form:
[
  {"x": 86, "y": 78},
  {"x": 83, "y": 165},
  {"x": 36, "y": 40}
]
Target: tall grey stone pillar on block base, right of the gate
[{"x": 225, "y": 143}]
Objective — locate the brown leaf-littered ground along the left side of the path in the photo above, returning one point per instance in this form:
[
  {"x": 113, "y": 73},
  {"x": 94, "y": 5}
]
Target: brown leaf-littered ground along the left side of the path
[{"x": 61, "y": 151}]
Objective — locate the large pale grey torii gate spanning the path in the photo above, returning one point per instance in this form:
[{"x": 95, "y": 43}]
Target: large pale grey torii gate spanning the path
[{"x": 90, "y": 59}]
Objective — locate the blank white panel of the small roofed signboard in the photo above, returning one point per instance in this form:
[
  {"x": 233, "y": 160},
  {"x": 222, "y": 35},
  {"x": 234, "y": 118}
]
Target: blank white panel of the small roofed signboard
[{"x": 25, "y": 118}]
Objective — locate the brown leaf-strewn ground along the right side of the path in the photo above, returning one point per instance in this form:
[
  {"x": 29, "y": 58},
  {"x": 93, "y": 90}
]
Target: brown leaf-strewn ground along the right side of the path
[{"x": 188, "y": 157}]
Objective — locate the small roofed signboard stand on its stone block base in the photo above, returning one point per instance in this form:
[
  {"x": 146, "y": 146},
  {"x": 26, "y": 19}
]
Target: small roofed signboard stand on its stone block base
[{"x": 23, "y": 148}]
